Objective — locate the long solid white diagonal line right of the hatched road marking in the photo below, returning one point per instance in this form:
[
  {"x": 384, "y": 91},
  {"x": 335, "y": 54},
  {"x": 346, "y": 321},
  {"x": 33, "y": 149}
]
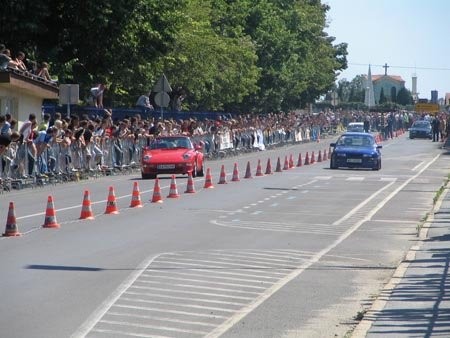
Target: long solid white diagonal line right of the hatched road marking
[{"x": 230, "y": 322}]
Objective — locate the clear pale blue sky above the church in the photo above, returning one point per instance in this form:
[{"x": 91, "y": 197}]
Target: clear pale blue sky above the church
[{"x": 411, "y": 36}]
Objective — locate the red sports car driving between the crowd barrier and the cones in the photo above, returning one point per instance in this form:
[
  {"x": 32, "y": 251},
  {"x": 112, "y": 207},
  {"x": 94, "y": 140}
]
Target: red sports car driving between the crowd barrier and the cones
[{"x": 172, "y": 155}]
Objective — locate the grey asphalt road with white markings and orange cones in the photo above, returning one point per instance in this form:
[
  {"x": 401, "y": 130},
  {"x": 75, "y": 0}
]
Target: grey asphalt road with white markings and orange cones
[{"x": 298, "y": 253}]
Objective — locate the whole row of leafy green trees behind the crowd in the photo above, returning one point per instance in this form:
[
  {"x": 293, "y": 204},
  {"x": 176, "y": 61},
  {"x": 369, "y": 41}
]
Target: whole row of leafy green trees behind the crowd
[{"x": 244, "y": 55}]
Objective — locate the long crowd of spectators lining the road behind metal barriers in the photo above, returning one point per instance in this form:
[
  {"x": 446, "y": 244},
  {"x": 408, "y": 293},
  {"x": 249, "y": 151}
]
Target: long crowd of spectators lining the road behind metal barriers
[{"x": 57, "y": 144}]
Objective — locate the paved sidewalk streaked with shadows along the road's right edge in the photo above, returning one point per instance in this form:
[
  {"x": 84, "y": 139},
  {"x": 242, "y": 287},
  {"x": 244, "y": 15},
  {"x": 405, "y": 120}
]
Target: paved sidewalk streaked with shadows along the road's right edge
[{"x": 416, "y": 302}]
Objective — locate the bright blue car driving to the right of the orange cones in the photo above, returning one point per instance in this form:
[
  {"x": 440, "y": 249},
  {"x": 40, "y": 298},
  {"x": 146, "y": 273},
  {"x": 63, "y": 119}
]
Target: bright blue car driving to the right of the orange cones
[{"x": 356, "y": 150}]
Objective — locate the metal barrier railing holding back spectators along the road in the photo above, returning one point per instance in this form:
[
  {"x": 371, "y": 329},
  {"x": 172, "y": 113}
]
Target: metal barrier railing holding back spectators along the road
[{"x": 53, "y": 162}]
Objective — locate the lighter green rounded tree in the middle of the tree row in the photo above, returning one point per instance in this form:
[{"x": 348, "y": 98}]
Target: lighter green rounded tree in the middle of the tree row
[{"x": 217, "y": 67}]
